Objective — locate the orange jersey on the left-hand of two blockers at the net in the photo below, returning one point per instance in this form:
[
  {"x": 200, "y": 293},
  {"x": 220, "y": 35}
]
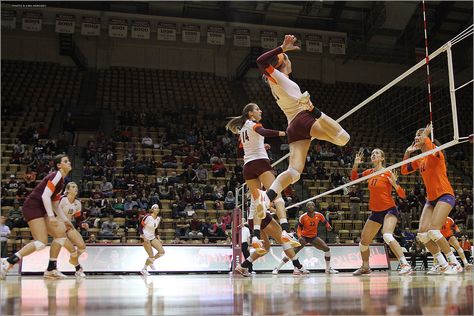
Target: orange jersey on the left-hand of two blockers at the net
[{"x": 380, "y": 190}]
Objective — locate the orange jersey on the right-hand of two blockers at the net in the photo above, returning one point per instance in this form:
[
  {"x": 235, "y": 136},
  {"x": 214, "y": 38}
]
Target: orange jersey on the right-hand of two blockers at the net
[{"x": 433, "y": 171}]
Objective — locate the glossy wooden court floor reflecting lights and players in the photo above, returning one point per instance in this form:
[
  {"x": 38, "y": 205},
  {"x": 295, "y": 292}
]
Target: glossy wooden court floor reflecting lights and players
[{"x": 379, "y": 293}]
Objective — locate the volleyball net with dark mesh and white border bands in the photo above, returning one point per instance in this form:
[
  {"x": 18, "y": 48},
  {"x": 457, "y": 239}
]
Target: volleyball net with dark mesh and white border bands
[{"x": 389, "y": 118}]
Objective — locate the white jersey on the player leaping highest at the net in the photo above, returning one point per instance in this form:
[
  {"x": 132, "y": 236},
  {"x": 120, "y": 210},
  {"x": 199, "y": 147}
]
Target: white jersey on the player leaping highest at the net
[{"x": 287, "y": 94}]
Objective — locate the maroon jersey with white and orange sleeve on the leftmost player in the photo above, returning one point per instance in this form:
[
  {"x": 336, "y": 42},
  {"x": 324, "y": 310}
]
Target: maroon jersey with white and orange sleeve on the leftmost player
[{"x": 51, "y": 187}]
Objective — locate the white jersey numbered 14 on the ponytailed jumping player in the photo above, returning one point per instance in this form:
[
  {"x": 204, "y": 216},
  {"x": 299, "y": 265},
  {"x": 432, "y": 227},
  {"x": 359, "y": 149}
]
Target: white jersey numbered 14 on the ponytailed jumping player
[{"x": 253, "y": 142}]
